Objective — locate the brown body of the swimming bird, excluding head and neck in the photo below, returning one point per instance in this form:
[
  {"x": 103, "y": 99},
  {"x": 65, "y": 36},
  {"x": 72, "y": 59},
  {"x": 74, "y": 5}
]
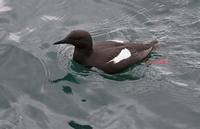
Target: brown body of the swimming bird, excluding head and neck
[{"x": 113, "y": 57}]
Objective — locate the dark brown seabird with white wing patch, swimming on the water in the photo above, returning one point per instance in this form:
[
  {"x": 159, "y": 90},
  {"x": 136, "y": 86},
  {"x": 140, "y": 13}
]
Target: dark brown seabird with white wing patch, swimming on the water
[{"x": 109, "y": 56}]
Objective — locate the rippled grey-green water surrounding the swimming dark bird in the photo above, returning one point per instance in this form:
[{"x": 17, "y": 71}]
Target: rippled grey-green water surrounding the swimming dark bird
[{"x": 41, "y": 88}]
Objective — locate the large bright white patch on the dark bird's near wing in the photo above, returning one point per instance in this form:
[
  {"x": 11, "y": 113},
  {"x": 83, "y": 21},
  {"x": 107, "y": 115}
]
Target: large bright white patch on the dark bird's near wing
[{"x": 124, "y": 54}]
